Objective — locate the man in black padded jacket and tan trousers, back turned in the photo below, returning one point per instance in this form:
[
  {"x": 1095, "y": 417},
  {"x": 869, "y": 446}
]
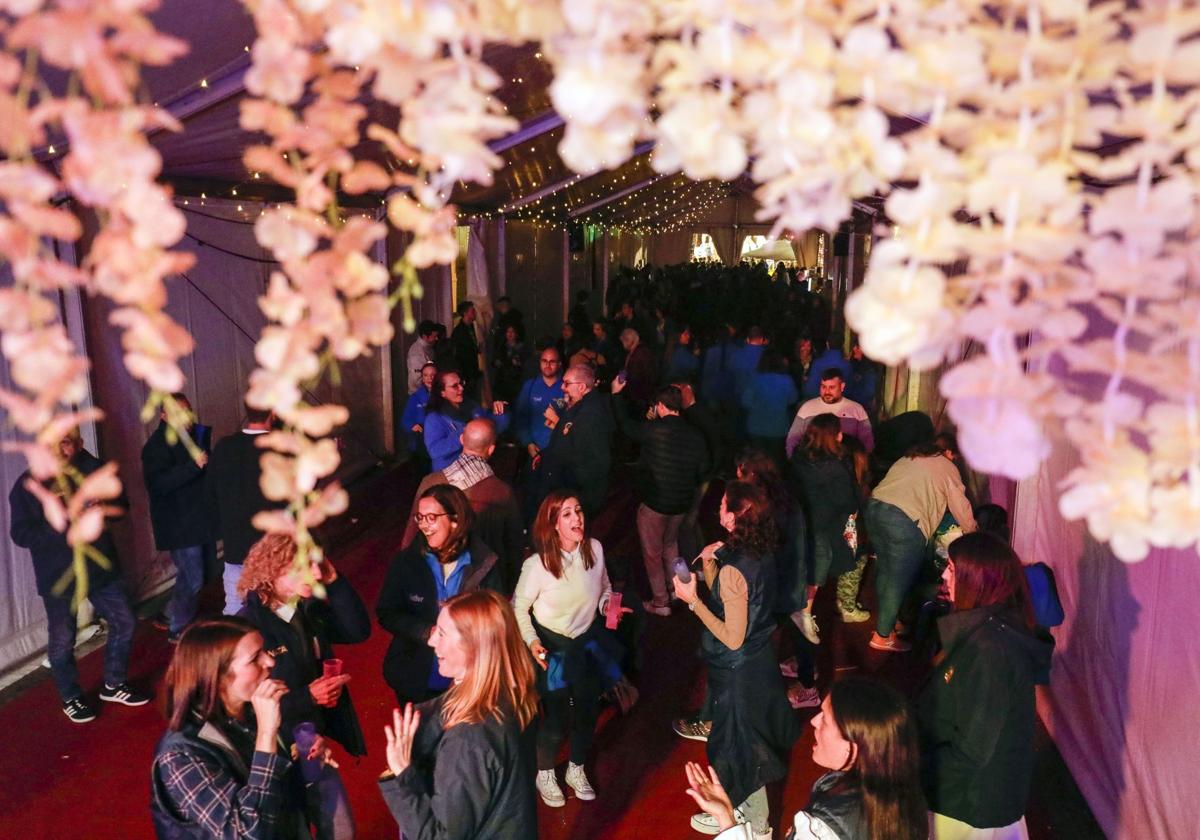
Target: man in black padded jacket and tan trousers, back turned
[{"x": 674, "y": 465}]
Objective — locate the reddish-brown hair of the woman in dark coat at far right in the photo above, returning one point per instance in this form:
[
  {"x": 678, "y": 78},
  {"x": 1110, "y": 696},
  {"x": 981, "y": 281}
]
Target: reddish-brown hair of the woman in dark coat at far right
[{"x": 987, "y": 573}]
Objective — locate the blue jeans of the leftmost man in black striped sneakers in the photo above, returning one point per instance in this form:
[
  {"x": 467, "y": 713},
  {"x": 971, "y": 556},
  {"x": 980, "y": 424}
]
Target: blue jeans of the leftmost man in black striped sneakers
[{"x": 113, "y": 605}]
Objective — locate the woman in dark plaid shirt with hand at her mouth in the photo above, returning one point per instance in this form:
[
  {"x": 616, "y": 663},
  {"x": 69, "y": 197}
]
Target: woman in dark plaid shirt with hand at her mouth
[{"x": 218, "y": 772}]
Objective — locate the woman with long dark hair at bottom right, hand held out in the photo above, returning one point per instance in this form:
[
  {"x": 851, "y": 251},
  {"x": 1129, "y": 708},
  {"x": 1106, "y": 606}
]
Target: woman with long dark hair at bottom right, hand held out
[{"x": 866, "y": 737}]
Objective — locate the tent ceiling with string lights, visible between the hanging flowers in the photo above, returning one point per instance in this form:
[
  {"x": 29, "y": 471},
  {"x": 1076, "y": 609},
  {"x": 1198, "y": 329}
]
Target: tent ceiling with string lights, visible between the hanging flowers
[{"x": 206, "y": 91}]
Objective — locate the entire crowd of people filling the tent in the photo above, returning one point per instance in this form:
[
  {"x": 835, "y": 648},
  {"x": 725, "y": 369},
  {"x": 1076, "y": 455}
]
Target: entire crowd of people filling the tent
[{"x": 508, "y": 631}]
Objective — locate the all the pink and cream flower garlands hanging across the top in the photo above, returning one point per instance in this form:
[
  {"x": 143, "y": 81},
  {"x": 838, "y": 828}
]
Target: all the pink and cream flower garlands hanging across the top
[{"x": 1039, "y": 161}]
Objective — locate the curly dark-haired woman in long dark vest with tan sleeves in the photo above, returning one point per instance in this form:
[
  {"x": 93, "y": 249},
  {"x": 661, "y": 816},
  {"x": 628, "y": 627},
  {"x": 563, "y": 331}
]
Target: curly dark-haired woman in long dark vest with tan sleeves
[{"x": 753, "y": 723}]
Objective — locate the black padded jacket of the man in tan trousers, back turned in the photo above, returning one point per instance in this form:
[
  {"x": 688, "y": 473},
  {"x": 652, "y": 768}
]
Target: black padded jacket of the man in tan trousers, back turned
[{"x": 674, "y": 463}]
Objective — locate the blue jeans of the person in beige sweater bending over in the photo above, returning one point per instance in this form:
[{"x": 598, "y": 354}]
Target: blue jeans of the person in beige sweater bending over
[{"x": 899, "y": 554}]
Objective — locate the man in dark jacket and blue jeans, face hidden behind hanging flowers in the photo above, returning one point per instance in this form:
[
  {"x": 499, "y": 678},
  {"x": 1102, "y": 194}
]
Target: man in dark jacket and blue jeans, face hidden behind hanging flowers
[{"x": 179, "y": 515}]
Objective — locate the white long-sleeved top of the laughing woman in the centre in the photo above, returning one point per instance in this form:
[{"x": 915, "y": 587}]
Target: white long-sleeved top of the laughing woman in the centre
[{"x": 566, "y": 605}]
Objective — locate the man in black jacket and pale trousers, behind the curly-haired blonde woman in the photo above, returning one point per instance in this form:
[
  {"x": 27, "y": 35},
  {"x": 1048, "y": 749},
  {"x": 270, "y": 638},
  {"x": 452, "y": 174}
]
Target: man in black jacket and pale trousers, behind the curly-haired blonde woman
[{"x": 232, "y": 488}]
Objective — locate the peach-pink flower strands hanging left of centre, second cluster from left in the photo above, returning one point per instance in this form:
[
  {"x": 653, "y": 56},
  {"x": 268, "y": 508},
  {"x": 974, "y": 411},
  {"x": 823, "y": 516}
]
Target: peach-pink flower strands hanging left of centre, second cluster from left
[{"x": 313, "y": 65}]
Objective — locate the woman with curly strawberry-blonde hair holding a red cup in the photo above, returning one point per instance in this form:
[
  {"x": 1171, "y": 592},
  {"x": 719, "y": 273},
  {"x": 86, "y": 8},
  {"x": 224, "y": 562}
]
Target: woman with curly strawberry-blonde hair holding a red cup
[{"x": 302, "y": 631}]
